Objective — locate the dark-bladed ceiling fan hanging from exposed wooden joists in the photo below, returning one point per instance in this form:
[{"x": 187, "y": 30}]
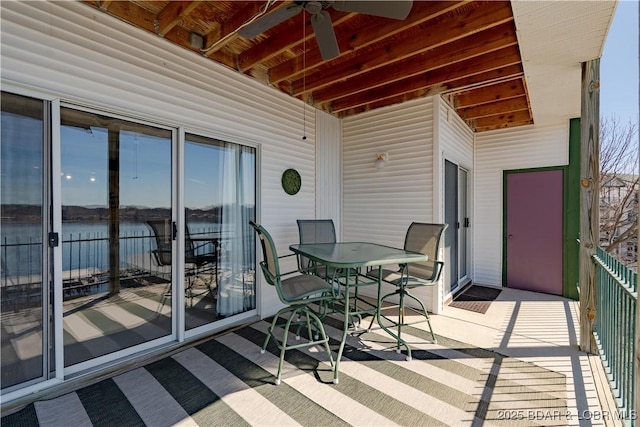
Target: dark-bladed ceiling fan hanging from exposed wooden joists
[{"x": 321, "y": 20}]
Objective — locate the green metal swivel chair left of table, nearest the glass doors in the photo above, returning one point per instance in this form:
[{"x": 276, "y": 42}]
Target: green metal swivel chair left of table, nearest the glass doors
[{"x": 298, "y": 293}]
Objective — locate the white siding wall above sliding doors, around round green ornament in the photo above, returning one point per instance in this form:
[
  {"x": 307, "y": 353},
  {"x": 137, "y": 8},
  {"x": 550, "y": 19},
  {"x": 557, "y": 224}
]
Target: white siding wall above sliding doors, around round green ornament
[{"x": 71, "y": 51}]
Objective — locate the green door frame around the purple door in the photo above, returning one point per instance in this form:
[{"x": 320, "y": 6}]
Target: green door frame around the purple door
[{"x": 565, "y": 189}]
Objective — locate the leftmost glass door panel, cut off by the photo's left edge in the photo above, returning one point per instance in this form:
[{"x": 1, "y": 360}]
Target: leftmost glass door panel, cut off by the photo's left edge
[{"x": 23, "y": 223}]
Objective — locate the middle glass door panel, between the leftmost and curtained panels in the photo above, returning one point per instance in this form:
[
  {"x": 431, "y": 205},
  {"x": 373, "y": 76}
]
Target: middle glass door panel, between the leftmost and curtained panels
[{"x": 116, "y": 181}]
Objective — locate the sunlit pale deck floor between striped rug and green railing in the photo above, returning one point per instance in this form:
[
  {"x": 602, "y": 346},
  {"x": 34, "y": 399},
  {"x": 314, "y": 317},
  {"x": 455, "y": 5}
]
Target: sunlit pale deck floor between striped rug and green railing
[{"x": 543, "y": 330}]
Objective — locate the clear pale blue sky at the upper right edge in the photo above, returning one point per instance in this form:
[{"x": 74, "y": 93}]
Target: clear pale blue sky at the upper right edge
[{"x": 619, "y": 65}]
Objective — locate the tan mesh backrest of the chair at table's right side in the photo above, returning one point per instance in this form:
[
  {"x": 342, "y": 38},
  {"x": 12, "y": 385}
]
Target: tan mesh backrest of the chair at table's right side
[{"x": 425, "y": 238}]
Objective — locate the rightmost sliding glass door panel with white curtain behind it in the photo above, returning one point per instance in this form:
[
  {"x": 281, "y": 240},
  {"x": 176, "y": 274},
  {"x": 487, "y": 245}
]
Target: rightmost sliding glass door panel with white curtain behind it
[{"x": 219, "y": 197}]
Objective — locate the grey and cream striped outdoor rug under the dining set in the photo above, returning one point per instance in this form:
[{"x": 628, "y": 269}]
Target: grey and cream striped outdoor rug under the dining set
[{"x": 226, "y": 381}]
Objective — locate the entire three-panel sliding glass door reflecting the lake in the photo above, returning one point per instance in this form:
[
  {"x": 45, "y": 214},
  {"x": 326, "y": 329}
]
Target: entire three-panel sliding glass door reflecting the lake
[{"x": 153, "y": 244}]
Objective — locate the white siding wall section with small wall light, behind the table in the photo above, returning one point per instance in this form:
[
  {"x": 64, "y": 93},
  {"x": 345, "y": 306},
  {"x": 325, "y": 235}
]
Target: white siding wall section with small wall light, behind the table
[{"x": 380, "y": 204}]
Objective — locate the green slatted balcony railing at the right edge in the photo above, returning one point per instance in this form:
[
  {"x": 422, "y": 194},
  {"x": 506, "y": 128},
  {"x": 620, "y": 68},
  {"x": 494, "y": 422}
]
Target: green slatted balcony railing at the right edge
[{"x": 615, "y": 330}]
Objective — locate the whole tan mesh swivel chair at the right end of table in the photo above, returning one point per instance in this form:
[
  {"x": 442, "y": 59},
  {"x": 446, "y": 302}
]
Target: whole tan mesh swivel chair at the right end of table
[{"x": 424, "y": 238}]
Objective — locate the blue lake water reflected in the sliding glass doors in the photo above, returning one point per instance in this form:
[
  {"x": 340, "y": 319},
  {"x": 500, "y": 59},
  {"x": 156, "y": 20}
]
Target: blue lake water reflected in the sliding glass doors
[{"x": 84, "y": 245}]
